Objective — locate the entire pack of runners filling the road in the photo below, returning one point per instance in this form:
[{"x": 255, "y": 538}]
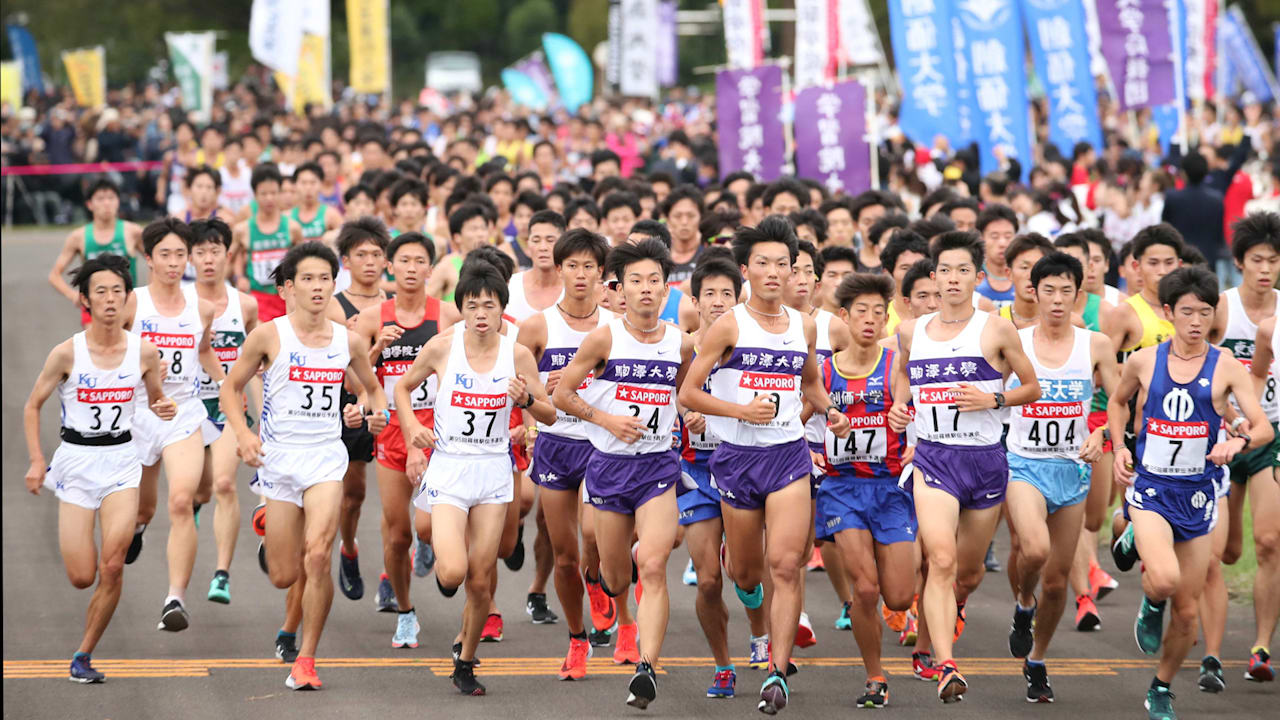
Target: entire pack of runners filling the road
[{"x": 890, "y": 395}]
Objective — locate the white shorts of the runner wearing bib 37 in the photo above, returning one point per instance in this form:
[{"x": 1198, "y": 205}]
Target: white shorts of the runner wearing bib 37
[{"x": 467, "y": 481}]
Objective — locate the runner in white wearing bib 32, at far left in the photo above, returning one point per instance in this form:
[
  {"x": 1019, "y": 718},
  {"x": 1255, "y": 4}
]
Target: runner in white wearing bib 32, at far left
[{"x": 97, "y": 468}]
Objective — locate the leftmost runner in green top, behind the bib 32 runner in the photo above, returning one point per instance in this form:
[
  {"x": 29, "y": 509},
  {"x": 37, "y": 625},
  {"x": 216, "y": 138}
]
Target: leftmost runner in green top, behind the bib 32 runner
[{"x": 107, "y": 233}]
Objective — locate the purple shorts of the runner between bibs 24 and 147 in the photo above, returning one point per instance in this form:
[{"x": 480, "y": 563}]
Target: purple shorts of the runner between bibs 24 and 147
[{"x": 748, "y": 476}]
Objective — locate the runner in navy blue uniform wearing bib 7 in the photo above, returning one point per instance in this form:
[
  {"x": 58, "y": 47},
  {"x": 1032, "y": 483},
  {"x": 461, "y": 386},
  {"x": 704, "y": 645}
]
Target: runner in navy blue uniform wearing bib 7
[{"x": 1172, "y": 487}]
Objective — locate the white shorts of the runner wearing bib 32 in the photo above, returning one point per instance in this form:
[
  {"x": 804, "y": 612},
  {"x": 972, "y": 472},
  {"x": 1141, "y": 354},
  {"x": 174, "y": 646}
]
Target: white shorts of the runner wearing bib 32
[{"x": 85, "y": 475}]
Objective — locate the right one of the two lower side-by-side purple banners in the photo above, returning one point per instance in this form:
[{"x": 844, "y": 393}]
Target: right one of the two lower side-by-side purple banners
[{"x": 831, "y": 138}]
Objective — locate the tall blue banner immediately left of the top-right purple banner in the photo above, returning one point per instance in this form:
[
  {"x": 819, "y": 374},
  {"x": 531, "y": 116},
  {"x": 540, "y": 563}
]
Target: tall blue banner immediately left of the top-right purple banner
[{"x": 1062, "y": 53}]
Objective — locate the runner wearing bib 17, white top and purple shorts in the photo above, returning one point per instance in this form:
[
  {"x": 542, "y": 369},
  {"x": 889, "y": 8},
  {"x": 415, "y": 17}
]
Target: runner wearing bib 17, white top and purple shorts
[{"x": 956, "y": 377}]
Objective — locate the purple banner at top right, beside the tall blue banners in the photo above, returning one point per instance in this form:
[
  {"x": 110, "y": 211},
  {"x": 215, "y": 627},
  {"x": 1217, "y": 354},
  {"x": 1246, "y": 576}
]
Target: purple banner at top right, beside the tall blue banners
[{"x": 1139, "y": 45}]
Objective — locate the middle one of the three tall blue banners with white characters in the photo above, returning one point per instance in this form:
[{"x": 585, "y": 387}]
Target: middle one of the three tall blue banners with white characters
[{"x": 998, "y": 78}]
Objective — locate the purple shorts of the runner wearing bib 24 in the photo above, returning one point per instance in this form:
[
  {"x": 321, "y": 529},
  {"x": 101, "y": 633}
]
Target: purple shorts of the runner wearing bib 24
[{"x": 623, "y": 484}]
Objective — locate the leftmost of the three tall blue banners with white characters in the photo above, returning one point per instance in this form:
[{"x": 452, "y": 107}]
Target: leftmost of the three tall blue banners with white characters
[{"x": 924, "y": 52}]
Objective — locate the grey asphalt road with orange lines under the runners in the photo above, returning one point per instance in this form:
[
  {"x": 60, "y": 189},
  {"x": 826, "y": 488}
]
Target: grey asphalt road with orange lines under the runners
[{"x": 223, "y": 666}]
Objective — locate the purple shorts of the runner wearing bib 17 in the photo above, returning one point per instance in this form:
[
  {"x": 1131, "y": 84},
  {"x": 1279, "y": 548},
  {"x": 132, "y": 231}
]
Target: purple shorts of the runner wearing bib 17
[{"x": 976, "y": 476}]
